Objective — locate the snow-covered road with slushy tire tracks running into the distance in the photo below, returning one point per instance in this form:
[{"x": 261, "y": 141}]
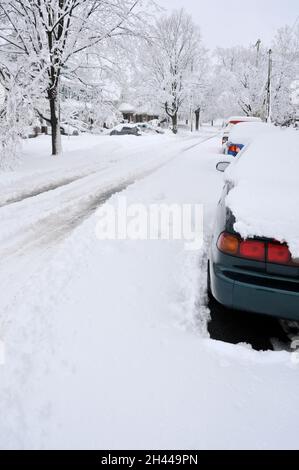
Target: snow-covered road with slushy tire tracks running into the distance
[{"x": 37, "y": 212}]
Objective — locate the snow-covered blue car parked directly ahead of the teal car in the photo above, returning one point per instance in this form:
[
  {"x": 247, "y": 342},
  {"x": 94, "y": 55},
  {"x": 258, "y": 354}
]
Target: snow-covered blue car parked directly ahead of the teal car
[{"x": 243, "y": 134}]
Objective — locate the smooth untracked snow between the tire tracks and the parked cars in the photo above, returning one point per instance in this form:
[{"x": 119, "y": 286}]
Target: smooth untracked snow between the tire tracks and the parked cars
[{"x": 96, "y": 356}]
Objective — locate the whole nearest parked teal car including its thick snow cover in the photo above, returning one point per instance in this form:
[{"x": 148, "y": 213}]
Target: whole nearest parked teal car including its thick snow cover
[{"x": 254, "y": 254}]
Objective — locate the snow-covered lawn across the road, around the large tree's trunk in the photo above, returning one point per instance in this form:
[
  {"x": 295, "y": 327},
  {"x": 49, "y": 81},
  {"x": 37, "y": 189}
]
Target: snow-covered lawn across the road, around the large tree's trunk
[{"x": 86, "y": 155}]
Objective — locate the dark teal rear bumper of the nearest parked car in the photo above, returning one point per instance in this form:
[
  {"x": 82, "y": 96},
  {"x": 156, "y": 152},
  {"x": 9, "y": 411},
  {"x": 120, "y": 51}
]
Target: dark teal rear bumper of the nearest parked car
[{"x": 252, "y": 293}]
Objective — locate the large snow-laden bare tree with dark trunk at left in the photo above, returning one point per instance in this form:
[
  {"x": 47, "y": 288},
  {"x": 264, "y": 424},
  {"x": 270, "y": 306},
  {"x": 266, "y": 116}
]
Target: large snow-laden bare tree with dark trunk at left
[{"x": 49, "y": 33}]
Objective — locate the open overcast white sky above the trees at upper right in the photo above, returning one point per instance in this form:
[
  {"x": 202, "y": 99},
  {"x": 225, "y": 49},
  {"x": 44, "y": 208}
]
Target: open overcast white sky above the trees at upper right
[{"x": 230, "y": 22}]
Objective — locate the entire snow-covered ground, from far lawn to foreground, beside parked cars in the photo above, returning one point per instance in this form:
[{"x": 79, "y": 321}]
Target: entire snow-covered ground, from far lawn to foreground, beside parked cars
[{"x": 106, "y": 342}]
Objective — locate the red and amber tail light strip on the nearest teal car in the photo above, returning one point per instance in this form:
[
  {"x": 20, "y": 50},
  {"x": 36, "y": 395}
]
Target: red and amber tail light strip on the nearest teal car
[{"x": 256, "y": 250}]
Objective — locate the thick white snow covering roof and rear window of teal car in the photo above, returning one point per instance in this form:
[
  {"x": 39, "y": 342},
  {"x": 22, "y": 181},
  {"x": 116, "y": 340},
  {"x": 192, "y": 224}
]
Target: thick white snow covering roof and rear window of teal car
[{"x": 265, "y": 196}]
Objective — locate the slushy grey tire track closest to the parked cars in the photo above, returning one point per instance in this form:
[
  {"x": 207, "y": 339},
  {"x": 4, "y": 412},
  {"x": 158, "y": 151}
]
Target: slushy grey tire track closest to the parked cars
[{"x": 28, "y": 253}]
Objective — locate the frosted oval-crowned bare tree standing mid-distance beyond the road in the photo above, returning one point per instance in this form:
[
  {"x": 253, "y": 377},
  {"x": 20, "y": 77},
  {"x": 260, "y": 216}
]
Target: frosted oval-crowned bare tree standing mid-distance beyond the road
[{"x": 170, "y": 58}]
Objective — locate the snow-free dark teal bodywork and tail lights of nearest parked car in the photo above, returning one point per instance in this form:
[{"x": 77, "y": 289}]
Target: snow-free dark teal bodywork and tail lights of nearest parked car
[{"x": 255, "y": 275}]
